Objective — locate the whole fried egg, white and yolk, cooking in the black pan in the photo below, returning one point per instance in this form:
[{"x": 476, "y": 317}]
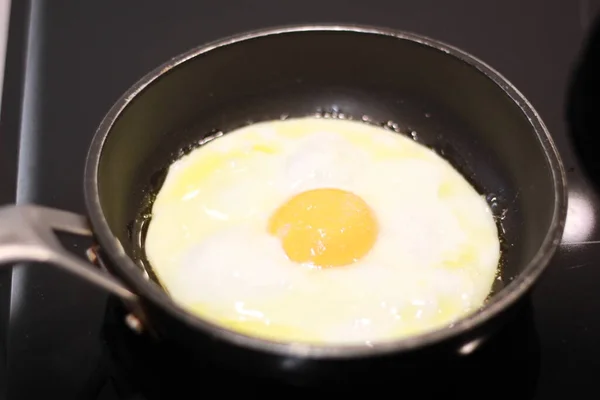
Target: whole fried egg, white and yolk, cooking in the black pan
[{"x": 322, "y": 231}]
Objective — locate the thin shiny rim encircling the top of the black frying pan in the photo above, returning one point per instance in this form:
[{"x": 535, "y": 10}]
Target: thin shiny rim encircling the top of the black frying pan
[{"x": 501, "y": 301}]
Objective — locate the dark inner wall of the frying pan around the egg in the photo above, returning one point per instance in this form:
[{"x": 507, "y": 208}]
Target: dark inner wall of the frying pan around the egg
[{"x": 412, "y": 88}]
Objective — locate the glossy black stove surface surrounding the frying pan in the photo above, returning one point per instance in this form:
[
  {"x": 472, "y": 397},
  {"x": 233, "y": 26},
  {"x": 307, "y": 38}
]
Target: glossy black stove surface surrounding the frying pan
[{"x": 68, "y": 61}]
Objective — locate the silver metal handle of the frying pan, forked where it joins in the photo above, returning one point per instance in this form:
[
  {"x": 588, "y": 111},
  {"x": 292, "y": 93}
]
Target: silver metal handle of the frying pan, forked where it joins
[{"x": 27, "y": 233}]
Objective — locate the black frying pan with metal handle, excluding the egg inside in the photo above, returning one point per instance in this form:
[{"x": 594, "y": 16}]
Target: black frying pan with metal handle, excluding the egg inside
[{"x": 443, "y": 97}]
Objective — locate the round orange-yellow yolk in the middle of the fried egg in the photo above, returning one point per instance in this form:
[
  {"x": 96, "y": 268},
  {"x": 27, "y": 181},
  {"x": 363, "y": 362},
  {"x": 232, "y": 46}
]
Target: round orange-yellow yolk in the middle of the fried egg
[{"x": 325, "y": 227}]
